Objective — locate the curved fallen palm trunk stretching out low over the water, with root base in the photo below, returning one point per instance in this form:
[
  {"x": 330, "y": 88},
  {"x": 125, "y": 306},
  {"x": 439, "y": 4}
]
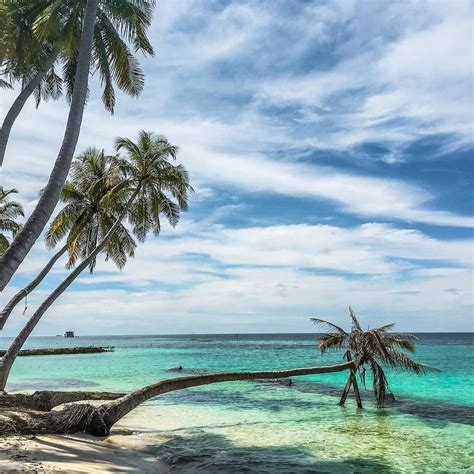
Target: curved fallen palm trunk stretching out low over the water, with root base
[{"x": 98, "y": 420}]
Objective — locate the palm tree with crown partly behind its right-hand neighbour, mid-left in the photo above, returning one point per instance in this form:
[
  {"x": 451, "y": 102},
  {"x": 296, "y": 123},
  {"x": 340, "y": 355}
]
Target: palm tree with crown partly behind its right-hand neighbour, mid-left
[{"x": 91, "y": 207}]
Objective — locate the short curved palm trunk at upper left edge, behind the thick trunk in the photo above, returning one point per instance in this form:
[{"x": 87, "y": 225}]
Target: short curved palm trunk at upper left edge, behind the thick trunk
[{"x": 20, "y": 101}]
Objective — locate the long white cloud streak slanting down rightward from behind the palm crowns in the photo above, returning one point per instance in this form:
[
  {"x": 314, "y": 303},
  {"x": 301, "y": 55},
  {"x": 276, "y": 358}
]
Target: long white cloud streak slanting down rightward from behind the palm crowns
[{"x": 200, "y": 145}]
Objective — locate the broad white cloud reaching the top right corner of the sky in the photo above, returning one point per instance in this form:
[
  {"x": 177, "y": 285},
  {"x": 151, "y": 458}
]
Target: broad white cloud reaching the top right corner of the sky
[{"x": 421, "y": 81}]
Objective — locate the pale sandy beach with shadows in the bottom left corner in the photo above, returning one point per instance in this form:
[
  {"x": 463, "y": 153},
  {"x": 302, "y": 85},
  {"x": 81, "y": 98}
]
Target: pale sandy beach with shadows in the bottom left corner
[{"x": 78, "y": 454}]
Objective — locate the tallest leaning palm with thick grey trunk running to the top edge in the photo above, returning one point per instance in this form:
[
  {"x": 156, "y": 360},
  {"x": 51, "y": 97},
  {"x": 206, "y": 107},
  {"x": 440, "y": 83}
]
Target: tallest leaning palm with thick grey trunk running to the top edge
[{"x": 81, "y": 65}]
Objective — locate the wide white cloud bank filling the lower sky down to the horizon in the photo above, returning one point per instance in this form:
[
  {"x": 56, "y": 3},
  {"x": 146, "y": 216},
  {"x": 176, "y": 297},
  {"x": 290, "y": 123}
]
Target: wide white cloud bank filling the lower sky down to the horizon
[{"x": 274, "y": 276}]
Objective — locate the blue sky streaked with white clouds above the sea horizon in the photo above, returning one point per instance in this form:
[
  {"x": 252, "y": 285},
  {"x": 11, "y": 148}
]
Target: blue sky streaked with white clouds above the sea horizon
[{"x": 330, "y": 145}]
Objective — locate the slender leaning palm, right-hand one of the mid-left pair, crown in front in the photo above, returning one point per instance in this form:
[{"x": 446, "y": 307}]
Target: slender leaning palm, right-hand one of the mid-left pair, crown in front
[{"x": 152, "y": 186}]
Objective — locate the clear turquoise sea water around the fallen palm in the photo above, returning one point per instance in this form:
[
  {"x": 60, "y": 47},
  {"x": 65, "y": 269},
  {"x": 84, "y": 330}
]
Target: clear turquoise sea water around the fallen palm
[{"x": 269, "y": 427}]
